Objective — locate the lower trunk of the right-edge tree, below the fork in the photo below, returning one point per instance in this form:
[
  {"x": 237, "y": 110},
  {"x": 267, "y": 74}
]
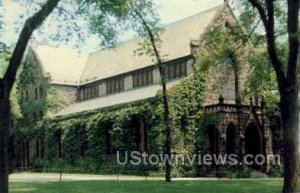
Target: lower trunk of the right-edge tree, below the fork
[{"x": 290, "y": 123}]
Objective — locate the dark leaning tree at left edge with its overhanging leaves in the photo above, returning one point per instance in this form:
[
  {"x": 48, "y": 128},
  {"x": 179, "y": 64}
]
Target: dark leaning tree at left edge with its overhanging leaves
[{"x": 9, "y": 77}]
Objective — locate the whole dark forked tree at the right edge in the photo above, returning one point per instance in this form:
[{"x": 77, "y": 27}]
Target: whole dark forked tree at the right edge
[{"x": 286, "y": 76}]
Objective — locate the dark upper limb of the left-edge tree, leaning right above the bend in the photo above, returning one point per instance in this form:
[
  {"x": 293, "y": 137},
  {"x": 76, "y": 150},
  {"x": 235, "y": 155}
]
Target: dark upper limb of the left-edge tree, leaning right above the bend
[{"x": 30, "y": 25}]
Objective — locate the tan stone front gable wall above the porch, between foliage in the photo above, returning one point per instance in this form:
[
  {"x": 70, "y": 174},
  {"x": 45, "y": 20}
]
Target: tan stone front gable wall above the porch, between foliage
[{"x": 220, "y": 78}]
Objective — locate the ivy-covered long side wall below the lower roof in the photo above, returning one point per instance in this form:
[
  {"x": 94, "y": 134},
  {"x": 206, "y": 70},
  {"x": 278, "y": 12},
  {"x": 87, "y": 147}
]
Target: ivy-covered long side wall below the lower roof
[{"x": 89, "y": 140}]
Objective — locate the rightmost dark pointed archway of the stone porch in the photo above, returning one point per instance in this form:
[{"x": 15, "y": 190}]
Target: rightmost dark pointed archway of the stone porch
[{"x": 253, "y": 143}]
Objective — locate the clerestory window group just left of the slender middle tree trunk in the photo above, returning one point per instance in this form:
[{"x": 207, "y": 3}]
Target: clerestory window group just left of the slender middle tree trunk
[{"x": 142, "y": 78}]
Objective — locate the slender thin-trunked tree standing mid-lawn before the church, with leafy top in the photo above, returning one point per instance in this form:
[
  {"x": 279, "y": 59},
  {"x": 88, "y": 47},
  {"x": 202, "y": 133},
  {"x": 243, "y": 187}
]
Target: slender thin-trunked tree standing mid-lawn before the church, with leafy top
[{"x": 140, "y": 15}]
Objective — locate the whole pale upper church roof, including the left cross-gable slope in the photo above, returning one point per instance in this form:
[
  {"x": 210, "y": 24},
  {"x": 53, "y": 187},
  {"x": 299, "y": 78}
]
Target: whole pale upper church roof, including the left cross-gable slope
[{"x": 72, "y": 68}]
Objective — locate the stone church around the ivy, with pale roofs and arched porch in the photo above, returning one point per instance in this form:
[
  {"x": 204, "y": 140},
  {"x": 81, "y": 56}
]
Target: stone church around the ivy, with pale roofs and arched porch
[{"x": 118, "y": 76}]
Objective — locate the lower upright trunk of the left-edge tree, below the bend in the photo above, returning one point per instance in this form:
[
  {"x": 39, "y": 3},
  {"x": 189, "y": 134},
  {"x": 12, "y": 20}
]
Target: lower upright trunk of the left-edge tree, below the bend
[{"x": 4, "y": 130}]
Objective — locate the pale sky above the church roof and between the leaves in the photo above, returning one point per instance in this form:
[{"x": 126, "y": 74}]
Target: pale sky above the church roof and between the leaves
[{"x": 169, "y": 11}]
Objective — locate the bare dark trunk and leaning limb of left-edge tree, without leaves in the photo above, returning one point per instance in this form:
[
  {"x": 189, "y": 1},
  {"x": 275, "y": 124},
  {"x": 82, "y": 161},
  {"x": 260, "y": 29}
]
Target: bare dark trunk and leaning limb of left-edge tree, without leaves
[{"x": 8, "y": 80}]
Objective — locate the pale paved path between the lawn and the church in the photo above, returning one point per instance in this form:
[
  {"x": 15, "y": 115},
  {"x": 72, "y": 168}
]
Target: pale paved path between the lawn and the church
[{"x": 46, "y": 177}]
